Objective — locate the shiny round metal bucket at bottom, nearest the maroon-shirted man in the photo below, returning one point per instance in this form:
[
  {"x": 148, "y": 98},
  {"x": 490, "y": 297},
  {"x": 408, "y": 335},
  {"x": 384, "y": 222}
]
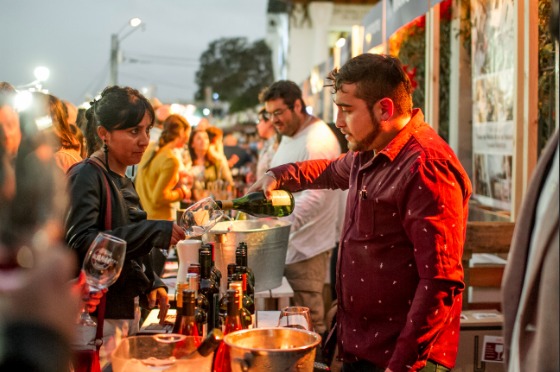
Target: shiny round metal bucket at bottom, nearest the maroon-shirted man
[{"x": 272, "y": 349}]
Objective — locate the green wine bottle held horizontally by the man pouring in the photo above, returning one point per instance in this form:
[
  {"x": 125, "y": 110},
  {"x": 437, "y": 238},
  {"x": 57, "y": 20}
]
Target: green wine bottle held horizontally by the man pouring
[{"x": 255, "y": 203}]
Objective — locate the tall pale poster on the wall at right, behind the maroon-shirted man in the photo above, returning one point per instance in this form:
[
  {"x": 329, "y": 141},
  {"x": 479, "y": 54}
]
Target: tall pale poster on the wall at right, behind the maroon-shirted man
[{"x": 493, "y": 47}]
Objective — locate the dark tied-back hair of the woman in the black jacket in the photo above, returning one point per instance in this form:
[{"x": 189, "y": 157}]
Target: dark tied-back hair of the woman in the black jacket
[{"x": 118, "y": 108}]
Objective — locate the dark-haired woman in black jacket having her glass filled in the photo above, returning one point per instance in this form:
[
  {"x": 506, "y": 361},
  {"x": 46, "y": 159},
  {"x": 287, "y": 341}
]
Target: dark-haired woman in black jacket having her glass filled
[{"x": 122, "y": 118}]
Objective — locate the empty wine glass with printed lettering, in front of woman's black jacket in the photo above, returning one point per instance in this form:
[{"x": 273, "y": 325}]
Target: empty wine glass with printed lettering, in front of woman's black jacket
[{"x": 102, "y": 267}]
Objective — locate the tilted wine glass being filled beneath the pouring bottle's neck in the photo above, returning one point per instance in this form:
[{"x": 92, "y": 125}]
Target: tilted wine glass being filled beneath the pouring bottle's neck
[{"x": 200, "y": 217}]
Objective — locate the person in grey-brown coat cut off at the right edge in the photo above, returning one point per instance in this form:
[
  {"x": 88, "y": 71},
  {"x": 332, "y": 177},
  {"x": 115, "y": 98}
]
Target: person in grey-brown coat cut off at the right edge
[{"x": 530, "y": 283}]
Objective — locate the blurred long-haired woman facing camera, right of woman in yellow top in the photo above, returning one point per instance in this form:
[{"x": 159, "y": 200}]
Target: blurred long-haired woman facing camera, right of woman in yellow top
[{"x": 209, "y": 169}]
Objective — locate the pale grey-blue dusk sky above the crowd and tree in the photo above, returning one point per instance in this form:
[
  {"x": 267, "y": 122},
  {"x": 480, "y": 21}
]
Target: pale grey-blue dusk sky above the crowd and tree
[{"x": 73, "y": 39}]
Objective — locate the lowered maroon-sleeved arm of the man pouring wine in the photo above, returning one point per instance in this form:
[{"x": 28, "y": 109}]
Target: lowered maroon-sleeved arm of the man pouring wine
[{"x": 434, "y": 210}]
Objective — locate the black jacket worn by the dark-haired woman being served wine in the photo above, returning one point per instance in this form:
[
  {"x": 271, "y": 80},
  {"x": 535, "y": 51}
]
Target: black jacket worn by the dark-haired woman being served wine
[{"x": 86, "y": 217}]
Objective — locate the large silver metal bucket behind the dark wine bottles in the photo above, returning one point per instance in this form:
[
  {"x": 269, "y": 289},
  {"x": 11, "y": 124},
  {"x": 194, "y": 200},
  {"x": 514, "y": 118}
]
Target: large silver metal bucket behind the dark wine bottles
[{"x": 267, "y": 244}]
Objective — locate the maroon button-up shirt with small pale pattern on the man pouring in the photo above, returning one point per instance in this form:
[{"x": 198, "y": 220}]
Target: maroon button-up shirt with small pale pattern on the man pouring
[{"x": 399, "y": 272}]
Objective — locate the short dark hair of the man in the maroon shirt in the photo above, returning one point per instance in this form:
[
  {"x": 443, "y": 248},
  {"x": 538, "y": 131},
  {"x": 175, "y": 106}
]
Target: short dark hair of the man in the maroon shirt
[{"x": 376, "y": 76}]
